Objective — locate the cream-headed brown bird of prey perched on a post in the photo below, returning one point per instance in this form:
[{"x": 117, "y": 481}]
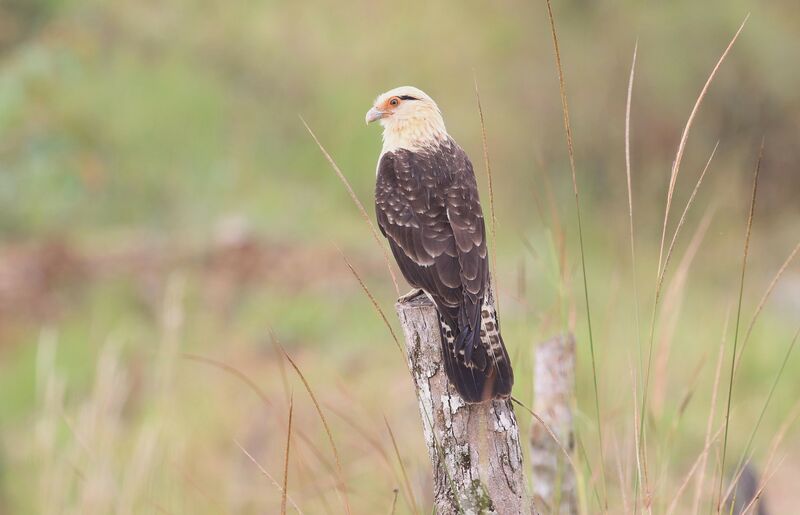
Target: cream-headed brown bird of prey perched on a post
[{"x": 427, "y": 205}]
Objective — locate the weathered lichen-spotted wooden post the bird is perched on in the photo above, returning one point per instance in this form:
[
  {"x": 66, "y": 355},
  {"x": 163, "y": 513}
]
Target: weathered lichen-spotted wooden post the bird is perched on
[{"x": 474, "y": 448}]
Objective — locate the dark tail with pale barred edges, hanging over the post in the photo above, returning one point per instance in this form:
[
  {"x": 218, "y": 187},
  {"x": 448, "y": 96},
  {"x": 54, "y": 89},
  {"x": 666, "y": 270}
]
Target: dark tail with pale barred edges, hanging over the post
[{"x": 477, "y": 362}]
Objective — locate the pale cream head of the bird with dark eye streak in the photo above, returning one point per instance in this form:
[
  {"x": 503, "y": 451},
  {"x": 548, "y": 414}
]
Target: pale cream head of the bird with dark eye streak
[{"x": 410, "y": 119}]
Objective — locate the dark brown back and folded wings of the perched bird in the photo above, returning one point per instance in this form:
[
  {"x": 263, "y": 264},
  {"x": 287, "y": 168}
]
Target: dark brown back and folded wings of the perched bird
[{"x": 427, "y": 206}]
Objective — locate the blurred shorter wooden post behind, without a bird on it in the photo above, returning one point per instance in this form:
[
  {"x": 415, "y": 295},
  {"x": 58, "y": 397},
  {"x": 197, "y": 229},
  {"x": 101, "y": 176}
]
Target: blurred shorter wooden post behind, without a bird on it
[{"x": 552, "y": 477}]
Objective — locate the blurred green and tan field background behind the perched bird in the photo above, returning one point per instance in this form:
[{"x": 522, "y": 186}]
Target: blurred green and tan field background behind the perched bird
[{"x": 160, "y": 199}]
